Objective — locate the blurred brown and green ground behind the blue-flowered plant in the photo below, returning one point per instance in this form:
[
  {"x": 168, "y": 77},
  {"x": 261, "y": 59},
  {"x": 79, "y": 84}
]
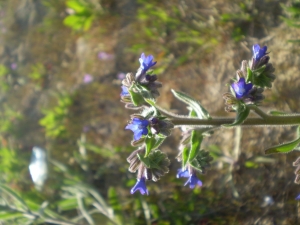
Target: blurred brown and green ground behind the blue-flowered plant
[{"x": 61, "y": 66}]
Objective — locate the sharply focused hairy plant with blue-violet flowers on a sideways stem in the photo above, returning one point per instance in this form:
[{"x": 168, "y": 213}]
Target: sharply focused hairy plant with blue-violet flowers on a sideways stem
[{"x": 151, "y": 124}]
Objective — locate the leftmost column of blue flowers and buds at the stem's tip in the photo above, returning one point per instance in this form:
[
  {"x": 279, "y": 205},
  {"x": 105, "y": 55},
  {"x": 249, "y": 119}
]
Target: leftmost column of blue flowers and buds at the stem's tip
[{"x": 149, "y": 127}]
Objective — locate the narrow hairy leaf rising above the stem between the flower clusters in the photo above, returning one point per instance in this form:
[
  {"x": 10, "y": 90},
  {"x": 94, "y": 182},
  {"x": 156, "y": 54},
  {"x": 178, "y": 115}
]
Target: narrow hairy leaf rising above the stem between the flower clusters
[{"x": 194, "y": 104}]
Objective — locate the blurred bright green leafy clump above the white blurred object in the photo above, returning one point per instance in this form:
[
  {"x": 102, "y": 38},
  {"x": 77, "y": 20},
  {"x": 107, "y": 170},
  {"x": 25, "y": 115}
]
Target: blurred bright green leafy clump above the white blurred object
[{"x": 54, "y": 120}]
